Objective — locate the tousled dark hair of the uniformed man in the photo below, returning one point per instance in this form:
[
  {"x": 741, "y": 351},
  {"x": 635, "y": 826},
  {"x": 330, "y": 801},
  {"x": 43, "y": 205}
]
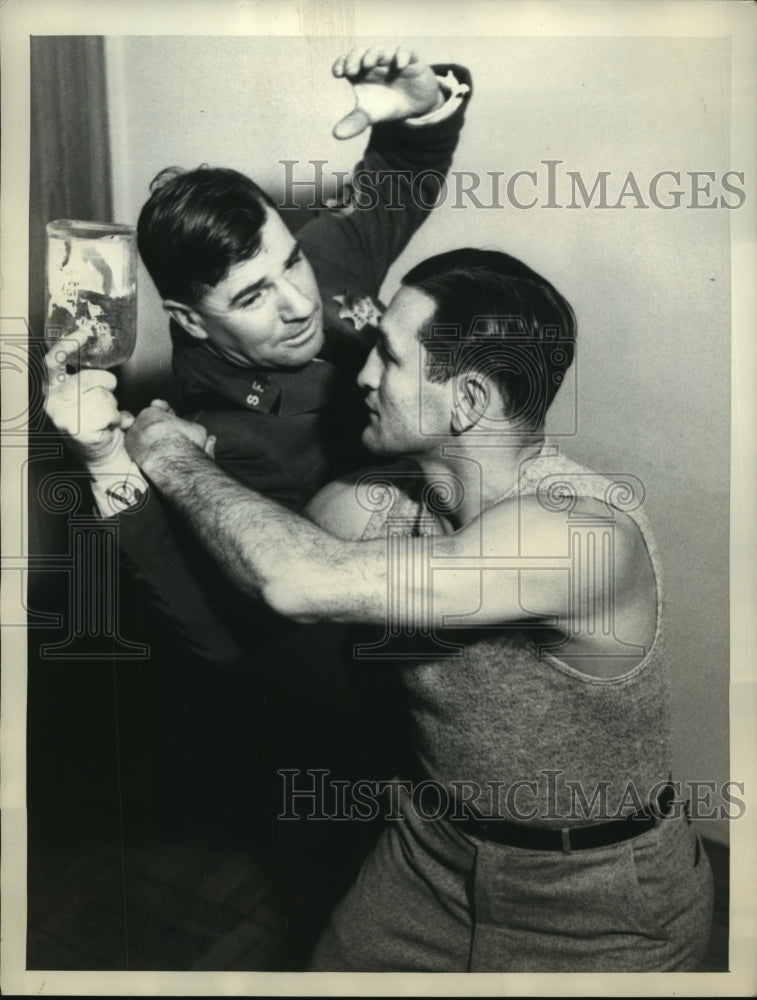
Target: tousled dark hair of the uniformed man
[{"x": 196, "y": 225}]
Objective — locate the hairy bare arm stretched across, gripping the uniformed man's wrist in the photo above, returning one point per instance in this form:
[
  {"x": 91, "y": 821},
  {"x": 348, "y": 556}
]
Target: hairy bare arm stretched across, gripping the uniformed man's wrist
[{"x": 511, "y": 563}]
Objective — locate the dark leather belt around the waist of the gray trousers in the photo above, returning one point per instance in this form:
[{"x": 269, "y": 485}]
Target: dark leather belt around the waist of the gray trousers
[{"x": 575, "y": 838}]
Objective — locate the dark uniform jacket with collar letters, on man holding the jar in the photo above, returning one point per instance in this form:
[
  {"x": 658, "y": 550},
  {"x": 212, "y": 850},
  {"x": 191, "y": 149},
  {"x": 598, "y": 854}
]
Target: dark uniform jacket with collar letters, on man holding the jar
[{"x": 287, "y": 433}]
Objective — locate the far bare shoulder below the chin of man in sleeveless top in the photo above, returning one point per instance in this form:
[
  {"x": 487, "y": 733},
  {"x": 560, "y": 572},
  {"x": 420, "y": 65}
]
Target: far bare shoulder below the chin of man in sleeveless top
[{"x": 346, "y": 506}]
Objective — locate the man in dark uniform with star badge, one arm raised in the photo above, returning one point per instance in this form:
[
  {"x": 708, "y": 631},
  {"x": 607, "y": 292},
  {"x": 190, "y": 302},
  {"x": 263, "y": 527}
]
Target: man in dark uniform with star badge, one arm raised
[{"x": 268, "y": 335}]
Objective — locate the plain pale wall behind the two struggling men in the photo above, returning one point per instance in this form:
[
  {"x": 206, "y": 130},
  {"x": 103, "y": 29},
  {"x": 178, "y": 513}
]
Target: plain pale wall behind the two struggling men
[{"x": 650, "y": 287}]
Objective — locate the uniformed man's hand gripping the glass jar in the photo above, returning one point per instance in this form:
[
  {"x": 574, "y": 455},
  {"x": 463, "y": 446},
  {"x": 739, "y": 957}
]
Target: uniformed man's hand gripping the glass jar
[{"x": 82, "y": 405}]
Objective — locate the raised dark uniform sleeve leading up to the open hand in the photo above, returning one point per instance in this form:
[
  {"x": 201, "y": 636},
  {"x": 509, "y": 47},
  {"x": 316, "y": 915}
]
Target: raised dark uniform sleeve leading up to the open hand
[{"x": 395, "y": 187}]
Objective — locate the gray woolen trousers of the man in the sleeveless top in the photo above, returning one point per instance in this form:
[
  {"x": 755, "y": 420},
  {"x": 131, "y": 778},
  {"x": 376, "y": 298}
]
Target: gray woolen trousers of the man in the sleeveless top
[{"x": 432, "y": 899}]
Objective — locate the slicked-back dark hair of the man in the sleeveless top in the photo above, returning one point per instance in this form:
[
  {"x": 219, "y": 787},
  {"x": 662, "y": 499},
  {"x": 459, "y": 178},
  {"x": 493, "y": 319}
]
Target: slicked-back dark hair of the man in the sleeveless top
[{"x": 497, "y": 316}]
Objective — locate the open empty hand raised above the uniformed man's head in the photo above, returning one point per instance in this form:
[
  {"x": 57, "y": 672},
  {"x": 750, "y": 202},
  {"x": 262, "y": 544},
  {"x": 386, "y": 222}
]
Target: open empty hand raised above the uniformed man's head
[{"x": 389, "y": 85}]
